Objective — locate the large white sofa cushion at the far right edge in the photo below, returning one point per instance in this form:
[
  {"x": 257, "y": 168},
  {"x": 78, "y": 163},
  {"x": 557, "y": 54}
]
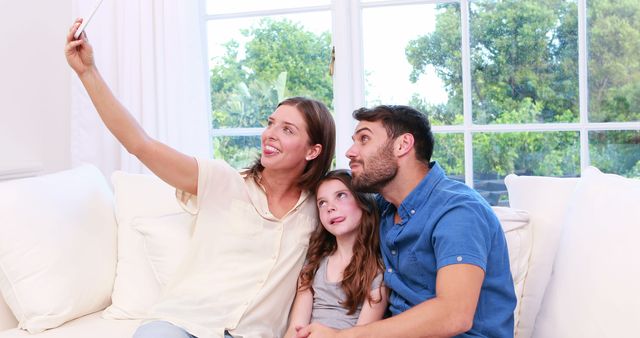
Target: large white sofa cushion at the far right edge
[{"x": 593, "y": 290}]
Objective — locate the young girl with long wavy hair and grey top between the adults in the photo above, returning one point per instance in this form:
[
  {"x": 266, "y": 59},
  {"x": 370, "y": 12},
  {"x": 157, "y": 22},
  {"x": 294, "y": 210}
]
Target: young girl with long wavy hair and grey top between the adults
[{"x": 341, "y": 283}]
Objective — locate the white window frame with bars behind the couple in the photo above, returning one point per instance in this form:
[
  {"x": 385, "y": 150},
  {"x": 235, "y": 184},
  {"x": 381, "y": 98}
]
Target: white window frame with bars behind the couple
[{"x": 349, "y": 81}]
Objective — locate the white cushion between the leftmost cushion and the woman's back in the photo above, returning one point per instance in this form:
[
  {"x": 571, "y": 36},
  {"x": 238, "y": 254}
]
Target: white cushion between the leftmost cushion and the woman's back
[{"x": 153, "y": 234}]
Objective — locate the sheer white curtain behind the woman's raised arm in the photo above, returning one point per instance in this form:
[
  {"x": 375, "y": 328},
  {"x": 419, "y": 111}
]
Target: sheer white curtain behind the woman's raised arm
[{"x": 150, "y": 52}]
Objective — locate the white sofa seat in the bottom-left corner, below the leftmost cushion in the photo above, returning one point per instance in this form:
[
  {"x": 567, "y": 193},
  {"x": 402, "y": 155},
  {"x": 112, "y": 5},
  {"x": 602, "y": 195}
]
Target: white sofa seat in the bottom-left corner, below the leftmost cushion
[{"x": 84, "y": 327}]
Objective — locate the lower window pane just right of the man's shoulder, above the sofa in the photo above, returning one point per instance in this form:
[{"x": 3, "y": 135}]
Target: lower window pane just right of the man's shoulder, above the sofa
[{"x": 496, "y": 155}]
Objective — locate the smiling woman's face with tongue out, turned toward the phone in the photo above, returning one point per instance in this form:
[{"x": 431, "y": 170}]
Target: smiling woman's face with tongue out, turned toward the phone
[{"x": 285, "y": 142}]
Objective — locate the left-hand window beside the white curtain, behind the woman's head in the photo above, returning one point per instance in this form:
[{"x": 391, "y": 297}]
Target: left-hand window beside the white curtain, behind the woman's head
[{"x": 261, "y": 52}]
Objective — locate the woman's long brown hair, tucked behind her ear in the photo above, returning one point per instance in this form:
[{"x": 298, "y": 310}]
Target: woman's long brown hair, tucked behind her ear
[{"x": 321, "y": 130}]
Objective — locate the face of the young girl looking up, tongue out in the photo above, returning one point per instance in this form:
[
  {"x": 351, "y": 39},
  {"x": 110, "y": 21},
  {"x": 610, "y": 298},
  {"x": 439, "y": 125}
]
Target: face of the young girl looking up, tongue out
[{"x": 339, "y": 211}]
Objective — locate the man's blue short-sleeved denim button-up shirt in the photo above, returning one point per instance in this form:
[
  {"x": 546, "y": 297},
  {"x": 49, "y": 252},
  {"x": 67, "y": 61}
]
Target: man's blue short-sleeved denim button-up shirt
[{"x": 445, "y": 222}]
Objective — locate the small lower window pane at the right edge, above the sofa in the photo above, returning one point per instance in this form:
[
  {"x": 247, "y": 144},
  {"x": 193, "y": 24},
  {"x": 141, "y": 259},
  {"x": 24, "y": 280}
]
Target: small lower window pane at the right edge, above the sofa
[{"x": 616, "y": 152}]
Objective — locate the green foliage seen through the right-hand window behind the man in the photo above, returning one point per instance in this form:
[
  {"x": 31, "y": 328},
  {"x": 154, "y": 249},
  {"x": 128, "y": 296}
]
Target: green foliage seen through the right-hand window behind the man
[{"x": 524, "y": 66}]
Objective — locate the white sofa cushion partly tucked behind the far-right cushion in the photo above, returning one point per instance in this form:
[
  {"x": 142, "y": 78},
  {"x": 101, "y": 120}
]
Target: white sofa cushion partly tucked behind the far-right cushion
[{"x": 546, "y": 200}]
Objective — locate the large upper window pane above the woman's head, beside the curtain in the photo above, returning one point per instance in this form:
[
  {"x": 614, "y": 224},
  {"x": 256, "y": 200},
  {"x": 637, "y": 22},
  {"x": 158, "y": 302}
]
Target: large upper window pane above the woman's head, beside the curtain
[{"x": 257, "y": 62}]
